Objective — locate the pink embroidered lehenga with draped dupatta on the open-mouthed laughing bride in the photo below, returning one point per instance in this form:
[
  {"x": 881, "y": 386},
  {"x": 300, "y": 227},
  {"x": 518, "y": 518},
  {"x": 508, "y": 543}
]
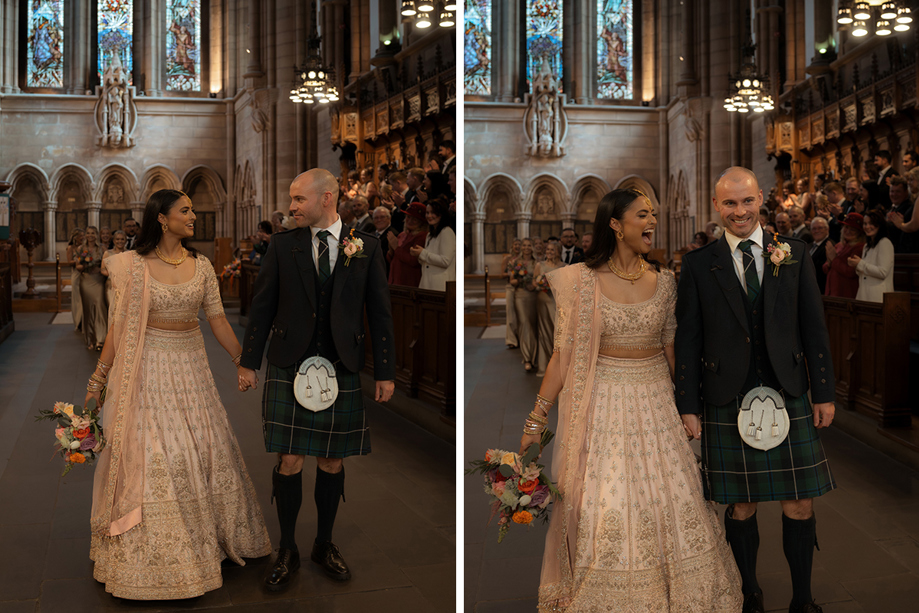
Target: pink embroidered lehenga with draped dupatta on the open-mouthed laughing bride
[{"x": 633, "y": 532}]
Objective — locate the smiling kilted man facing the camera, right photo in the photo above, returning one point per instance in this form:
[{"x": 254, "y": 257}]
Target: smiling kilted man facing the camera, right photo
[{"x": 745, "y": 322}]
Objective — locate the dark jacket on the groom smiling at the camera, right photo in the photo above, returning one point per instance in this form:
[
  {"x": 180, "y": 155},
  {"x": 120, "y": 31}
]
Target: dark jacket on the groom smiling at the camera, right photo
[{"x": 714, "y": 344}]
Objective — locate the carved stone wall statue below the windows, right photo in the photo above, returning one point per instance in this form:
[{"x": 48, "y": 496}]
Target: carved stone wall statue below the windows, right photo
[{"x": 545, "y": 121}]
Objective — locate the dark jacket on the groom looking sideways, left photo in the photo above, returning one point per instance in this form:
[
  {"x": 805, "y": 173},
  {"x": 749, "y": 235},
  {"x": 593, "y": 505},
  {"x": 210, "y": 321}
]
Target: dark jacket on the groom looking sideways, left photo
[{"x": 285, "y": 303}]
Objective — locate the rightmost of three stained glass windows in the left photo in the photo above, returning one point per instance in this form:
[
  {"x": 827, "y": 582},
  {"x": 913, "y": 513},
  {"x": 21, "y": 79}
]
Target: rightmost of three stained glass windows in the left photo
[{"x": 183, "y": 45}]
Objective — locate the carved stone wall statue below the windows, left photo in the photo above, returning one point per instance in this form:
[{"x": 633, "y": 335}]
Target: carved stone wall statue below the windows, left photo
[{"x": 116, "y": 113}]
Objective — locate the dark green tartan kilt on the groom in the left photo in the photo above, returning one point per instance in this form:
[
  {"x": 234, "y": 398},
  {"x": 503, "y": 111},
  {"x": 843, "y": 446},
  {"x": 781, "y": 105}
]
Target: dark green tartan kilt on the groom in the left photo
[{"x": 337, "y": 432}]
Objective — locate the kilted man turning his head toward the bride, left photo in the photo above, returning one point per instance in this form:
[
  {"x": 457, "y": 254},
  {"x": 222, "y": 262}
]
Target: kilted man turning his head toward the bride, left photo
[{"x": 304, "y": 273}]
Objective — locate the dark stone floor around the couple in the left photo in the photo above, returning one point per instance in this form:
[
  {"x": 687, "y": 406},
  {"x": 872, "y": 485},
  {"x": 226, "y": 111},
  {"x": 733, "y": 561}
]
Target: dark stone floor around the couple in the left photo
[{"x": 397, "y": 528}]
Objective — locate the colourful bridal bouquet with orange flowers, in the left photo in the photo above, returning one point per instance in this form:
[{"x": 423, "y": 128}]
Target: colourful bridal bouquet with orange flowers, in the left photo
[{"x": 79, "y": 432}]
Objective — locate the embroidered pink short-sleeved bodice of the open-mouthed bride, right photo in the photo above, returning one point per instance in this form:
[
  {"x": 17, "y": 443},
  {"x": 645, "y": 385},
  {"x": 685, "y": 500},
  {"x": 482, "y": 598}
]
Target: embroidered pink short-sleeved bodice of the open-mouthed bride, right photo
[{"x": 645, "y": 325}]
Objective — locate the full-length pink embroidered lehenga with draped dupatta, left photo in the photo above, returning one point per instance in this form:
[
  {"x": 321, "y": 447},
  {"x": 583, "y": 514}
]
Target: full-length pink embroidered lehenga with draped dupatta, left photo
[{"x": 171, "y": 497}]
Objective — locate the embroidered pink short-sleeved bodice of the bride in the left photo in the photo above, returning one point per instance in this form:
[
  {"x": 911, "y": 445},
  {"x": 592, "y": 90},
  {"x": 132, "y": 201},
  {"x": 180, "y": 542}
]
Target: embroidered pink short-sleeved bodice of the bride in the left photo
[{"x": 178, "y": 304}]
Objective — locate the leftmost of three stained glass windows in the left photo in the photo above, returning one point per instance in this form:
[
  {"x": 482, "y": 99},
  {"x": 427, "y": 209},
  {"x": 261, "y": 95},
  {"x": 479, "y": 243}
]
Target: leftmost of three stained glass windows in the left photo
[{"x": 45, "y": 55}]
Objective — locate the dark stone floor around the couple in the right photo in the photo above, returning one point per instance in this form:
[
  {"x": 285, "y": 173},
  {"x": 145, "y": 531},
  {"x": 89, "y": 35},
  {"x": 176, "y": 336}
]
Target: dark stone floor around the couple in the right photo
[{"x": 868, "y": 529}]
